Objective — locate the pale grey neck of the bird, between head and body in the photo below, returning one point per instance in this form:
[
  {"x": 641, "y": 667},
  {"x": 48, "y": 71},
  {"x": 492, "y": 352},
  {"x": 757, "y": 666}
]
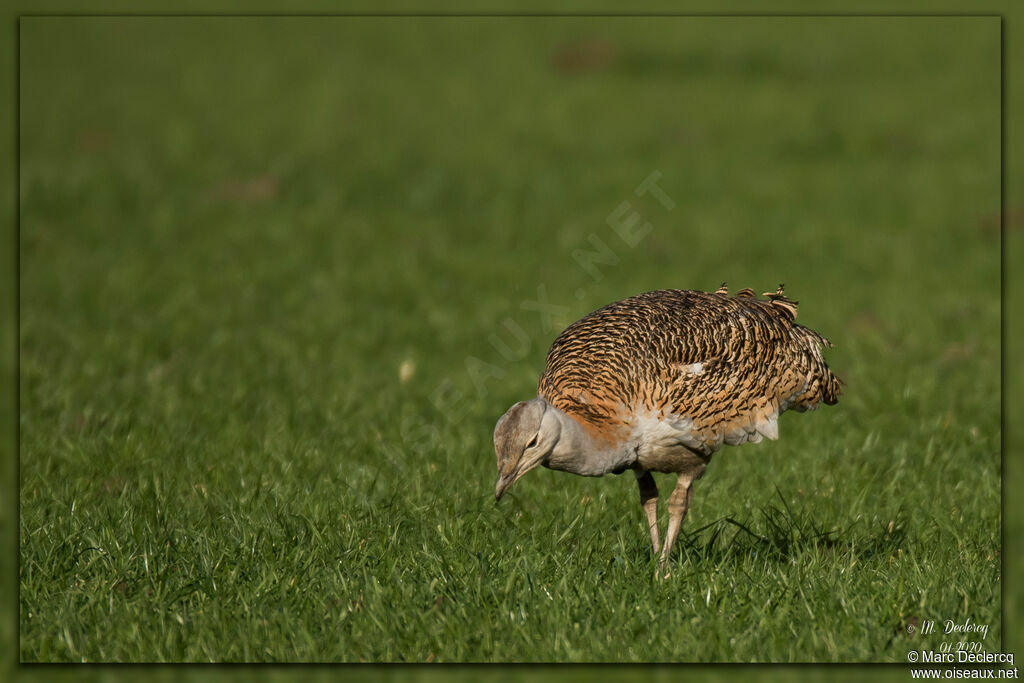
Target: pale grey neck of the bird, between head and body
[{"x": 580, "y": 451}]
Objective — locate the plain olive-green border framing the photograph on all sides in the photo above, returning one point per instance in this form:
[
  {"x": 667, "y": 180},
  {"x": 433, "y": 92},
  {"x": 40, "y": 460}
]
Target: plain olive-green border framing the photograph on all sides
[{"x": 1013, "y": 249}]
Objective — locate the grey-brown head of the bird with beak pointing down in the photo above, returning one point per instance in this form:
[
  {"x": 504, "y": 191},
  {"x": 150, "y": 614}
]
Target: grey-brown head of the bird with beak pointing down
[{"x": 524, "y": 440}]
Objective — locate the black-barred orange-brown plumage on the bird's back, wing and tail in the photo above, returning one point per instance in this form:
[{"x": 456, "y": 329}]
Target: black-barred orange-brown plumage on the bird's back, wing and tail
[{"x": 643, "y": 354}]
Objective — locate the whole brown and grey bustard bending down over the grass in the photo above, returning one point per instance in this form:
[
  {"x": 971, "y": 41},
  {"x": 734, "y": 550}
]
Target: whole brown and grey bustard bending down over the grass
[{"x": 659, "y": 382}]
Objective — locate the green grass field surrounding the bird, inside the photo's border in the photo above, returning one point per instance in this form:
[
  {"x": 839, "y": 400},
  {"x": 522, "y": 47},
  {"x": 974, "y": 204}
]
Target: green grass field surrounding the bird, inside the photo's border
[{"x": 279, "y": 279}]
